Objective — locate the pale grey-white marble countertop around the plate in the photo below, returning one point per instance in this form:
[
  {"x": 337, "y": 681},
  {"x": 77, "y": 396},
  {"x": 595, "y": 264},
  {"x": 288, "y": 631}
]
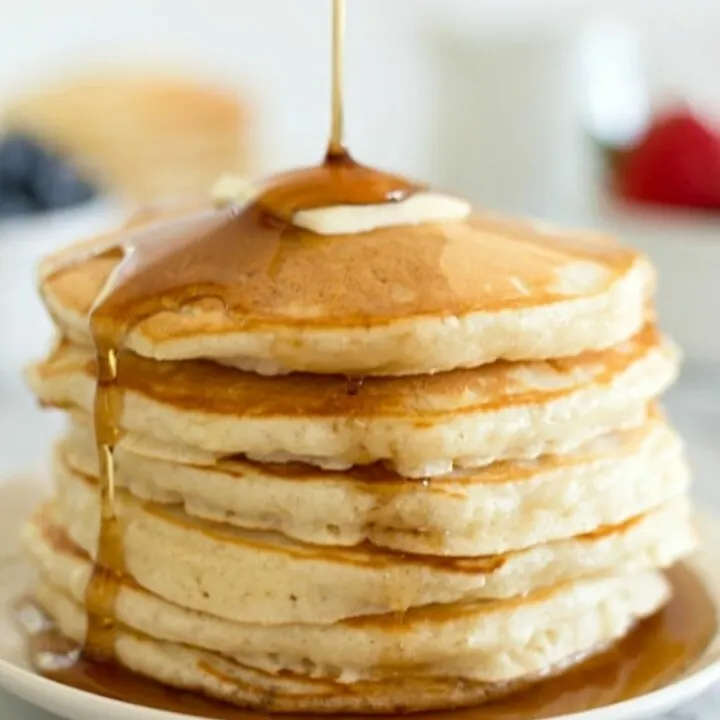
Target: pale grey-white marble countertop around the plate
[{"x": 694, "y": 405}]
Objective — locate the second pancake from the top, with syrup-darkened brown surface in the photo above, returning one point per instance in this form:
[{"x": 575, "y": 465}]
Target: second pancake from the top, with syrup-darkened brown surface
[{"x": 423, "y": 426}]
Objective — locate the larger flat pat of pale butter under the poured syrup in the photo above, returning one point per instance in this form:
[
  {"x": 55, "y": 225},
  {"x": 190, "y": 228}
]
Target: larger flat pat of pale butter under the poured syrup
[{"x": 423, "y": 207}]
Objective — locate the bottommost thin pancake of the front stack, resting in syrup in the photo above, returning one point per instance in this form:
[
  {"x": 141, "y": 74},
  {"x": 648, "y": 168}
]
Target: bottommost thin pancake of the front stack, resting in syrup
[{"x": 211, "y": 674}]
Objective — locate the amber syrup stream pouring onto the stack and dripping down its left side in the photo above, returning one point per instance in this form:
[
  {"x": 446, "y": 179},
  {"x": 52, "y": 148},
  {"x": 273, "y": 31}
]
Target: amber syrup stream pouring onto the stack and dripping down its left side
[{"x": 197, "y": 258}]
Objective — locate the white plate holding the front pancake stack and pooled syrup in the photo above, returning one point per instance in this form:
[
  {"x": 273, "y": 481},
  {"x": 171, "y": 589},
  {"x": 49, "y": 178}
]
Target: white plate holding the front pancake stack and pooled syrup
[{"x": 17, "y": 678}]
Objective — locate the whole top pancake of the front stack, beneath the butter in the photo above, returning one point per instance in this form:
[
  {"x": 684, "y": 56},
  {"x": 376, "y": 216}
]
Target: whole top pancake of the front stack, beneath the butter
[{"x": 411, "y": 299}]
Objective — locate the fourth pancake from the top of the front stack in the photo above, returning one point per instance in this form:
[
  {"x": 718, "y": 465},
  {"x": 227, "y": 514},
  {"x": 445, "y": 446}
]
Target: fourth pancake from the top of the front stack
[{"x": 264, "y": 577}]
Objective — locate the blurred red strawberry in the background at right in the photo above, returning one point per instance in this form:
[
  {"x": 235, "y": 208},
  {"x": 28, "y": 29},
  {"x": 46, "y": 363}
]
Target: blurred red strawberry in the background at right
[{"x": 677, "y": 162}]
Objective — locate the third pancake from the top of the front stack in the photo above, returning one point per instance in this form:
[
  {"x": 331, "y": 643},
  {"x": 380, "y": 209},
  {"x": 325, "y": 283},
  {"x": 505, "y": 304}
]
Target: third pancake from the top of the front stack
[{"x": 505, "y": 506}]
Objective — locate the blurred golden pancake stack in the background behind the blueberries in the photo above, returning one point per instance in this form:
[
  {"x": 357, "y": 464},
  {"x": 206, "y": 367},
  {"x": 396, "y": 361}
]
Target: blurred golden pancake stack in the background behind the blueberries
[{"x": 141, "y": 137}]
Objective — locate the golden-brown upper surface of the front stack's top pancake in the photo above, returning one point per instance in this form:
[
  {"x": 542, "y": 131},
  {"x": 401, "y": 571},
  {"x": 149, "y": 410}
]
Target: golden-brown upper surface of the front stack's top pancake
[{"x": 223, "y": 271}]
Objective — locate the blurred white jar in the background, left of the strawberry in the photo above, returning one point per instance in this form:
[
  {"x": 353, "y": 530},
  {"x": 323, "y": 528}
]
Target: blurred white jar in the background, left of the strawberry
[{"x": 506, "y": 116}]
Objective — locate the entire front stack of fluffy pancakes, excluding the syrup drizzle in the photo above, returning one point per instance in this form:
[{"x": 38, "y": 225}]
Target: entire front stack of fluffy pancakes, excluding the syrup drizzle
[{"x": 421, "y": 469}]
